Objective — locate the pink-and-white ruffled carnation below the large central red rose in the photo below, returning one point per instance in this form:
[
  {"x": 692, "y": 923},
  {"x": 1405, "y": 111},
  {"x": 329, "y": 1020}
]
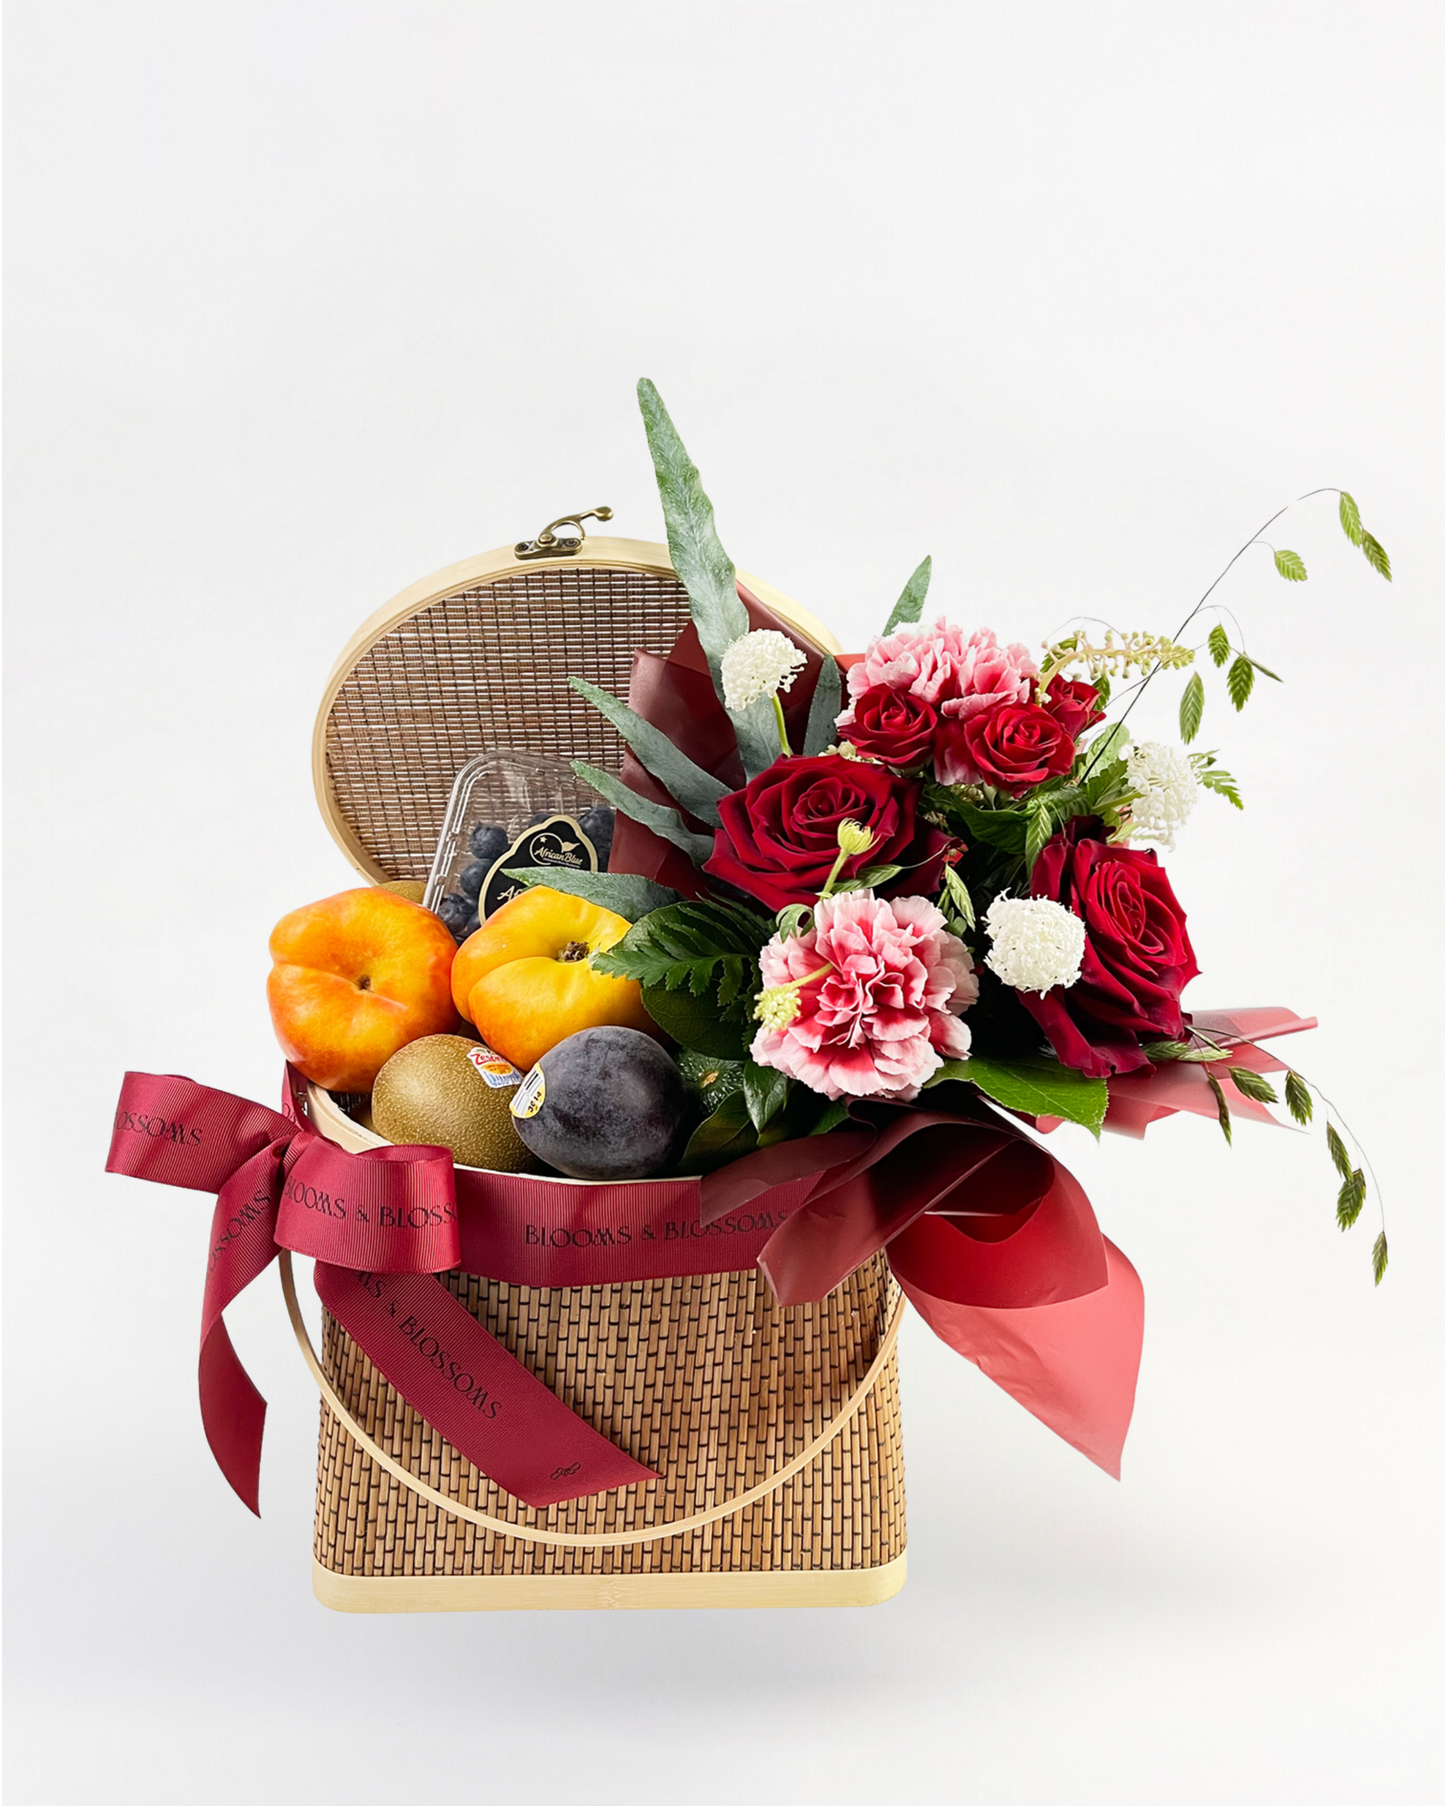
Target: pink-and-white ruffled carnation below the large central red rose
[{"x": 888, "y": 1016}]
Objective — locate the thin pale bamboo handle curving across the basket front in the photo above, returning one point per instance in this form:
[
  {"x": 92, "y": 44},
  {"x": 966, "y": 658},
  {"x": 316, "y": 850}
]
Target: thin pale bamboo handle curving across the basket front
[{"x": 584, "y": 1540}]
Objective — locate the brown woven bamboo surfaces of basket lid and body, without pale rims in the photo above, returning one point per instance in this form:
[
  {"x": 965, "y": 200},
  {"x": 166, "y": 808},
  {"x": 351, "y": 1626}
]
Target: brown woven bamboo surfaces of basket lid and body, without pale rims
[{"x": 707, "y": 1381}]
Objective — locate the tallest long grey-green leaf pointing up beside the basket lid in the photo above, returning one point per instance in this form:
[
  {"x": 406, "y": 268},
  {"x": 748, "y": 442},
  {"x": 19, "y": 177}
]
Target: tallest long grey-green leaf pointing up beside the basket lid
[{"x": 705, "y": 572}]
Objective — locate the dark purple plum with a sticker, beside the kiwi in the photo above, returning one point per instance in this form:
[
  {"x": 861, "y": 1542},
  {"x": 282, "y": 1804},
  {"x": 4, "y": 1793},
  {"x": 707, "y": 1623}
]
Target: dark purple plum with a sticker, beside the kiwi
[{"x": 613, "y": 1106}]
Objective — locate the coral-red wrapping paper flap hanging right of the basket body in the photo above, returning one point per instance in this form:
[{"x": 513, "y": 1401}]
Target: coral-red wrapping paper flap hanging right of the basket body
[{"x": 1072, "y": 1364}]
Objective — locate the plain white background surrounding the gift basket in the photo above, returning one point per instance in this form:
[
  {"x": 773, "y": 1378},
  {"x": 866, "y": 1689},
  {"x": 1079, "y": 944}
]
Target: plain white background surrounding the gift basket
[{"x": 313, "y": 299}]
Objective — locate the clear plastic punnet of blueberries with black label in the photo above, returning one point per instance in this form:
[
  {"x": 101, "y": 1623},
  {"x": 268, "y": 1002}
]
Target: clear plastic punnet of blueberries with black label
[{"x": 512, "y": 808}]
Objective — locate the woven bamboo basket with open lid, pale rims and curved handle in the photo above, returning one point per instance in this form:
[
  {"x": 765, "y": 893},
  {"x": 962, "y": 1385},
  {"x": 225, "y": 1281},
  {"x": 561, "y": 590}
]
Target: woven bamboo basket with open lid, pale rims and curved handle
[{"x": 776, "y": 1431}]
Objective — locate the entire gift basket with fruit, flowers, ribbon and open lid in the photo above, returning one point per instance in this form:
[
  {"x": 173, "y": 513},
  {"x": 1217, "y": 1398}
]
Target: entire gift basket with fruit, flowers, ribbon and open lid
[{"x": 676, "y": 1041}]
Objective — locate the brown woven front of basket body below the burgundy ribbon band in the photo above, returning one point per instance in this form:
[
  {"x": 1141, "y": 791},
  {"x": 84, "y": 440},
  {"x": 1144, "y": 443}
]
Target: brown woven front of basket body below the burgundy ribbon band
[{"x": 707, "y": 1381}]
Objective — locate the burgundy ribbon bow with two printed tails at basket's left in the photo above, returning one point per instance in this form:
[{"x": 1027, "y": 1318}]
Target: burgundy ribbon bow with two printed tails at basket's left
[{"x": 380, "y": 1227}]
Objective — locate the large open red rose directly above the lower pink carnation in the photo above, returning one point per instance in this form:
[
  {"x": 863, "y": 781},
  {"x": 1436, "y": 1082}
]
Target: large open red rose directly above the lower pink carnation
[{"x": 779, "y": 837}]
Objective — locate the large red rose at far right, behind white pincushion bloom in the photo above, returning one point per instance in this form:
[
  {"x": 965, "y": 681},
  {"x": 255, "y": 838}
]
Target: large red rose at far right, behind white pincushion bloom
[{"x": 1137, "y": 954}]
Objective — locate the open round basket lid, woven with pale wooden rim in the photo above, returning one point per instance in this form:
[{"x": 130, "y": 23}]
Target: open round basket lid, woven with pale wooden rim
[{"x": 478, "y": 656}]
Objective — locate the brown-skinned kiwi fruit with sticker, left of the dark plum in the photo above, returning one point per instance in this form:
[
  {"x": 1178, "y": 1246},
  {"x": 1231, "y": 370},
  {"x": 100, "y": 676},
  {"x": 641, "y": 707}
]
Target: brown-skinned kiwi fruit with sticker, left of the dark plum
[{"x": 451, "y": 1092}]
